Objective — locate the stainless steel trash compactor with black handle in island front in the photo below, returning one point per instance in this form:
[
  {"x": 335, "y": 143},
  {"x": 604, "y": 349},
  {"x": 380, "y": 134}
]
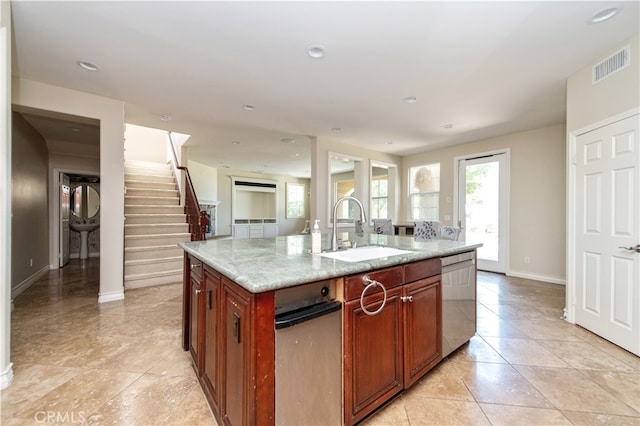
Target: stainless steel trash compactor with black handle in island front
[{"x": 308, "y": 326}]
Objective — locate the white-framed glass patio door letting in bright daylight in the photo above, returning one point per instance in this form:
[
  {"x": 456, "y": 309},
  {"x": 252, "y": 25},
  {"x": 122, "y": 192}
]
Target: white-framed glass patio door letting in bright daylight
[{"x": 483, "y": 207}]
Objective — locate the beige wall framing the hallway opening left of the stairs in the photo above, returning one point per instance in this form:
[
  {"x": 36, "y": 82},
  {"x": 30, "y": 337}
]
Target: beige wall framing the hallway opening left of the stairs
[{"x": 110, "y": 112}]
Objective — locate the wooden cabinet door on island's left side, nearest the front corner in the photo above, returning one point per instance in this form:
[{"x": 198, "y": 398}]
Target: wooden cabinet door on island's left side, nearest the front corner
[{"x": 235, "y": 338}]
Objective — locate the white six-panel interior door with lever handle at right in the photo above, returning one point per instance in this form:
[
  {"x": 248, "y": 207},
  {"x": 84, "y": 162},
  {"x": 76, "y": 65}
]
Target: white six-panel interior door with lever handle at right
[{"x": 607, "y": 190}]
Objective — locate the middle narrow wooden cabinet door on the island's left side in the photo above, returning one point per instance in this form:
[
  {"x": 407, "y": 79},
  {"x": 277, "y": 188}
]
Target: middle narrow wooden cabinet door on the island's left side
[{"x": 210, "y": 348}]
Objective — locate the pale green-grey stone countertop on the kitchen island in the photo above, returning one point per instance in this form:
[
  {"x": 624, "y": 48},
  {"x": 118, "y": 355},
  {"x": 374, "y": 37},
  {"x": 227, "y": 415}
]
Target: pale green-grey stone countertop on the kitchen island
[{"x": 265, "y": 264}]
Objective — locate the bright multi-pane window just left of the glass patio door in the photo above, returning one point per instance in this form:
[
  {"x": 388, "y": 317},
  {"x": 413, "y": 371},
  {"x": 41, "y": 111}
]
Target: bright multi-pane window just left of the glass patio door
[{"x": 424, "y": 192}]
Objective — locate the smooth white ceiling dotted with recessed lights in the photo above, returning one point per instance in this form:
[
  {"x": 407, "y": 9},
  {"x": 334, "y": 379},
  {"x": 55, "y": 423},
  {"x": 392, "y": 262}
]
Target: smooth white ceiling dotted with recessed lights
[{"x": 488, "y": 68}]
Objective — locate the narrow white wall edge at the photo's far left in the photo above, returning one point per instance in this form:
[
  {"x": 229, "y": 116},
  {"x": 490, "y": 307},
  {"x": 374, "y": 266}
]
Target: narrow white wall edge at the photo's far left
[{"x": 6, "y": 369}]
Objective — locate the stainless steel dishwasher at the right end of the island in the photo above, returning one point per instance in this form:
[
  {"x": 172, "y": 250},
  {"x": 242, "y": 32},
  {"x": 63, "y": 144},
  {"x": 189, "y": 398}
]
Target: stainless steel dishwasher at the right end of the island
[{"x": 458, "y": 300}]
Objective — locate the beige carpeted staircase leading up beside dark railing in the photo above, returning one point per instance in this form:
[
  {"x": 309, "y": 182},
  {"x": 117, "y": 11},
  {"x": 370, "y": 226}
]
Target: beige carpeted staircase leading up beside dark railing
[{"x": 155, "y": 223}]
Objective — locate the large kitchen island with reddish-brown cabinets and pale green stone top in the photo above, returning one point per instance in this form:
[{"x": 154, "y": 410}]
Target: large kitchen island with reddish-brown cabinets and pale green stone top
[{"x": 280, "y": 336}]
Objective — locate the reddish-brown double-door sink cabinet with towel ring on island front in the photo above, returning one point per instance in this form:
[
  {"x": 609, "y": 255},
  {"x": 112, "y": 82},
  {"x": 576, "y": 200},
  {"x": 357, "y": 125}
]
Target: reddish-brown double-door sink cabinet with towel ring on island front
[{"x": 389, "y": 351}]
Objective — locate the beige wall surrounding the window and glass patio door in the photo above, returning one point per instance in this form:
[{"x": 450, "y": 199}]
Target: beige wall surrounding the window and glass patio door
[{"x": 537, "y": 196}]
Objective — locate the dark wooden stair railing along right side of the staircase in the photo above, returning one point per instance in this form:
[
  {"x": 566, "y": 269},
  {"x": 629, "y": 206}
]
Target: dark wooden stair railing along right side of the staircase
[{"x": 196, "y": 217}]
